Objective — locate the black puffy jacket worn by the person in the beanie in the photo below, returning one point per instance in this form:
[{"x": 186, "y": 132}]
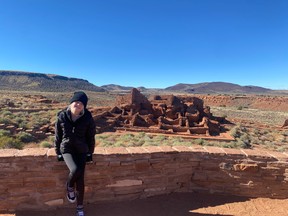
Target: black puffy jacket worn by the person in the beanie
[{"x": 74, "y": 137}]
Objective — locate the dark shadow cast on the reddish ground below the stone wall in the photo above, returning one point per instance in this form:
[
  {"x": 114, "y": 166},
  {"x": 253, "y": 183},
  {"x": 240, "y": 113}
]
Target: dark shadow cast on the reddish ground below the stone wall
[{"x": 176, "y": 204}]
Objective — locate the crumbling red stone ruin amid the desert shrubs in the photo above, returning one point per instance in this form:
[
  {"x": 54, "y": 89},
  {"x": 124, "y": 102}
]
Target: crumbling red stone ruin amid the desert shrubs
[{"x": 166, "y": 114}]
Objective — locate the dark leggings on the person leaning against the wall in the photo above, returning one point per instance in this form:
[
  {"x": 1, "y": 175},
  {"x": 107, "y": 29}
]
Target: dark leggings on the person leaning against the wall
[{"x": 76, "y": 164}]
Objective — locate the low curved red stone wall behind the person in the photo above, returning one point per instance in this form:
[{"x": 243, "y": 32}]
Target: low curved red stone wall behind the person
[{"x": 33, "y": 179}]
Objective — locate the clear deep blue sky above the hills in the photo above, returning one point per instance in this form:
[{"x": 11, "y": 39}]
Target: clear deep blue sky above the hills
[{"x": 150, "y": 43}]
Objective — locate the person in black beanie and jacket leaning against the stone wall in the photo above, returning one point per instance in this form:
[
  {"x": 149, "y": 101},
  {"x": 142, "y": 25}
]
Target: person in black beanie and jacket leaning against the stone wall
[{"x": 74, "y": 143}]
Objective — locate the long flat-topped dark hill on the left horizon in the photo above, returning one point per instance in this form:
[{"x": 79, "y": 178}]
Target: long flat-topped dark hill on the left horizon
[{"x": 27, "y": 81}]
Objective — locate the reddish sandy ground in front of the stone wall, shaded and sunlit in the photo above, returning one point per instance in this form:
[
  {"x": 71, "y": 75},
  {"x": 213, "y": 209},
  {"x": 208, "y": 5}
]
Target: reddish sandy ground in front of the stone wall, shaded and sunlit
[{"x": 178, "y": 204}]
